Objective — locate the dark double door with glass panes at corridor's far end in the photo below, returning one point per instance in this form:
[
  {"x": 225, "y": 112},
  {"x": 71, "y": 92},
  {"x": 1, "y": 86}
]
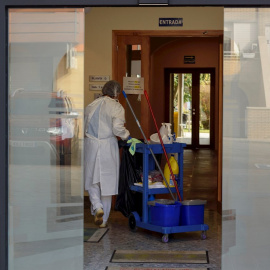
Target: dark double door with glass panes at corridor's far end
[{"x": 189, "y": 98}]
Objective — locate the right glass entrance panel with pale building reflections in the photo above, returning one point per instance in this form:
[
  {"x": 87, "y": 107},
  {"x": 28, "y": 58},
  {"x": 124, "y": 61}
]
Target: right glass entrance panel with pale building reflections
[{"x": 246, "y": 140}]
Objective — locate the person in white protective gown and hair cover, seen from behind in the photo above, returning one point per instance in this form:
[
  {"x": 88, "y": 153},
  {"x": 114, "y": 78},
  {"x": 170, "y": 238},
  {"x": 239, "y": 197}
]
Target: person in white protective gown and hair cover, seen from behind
[{"x": 104, "y": 119}]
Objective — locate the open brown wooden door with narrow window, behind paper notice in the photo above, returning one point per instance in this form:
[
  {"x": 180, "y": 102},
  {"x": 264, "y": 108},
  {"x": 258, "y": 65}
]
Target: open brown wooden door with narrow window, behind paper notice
[{"x": 131, "y": 59}]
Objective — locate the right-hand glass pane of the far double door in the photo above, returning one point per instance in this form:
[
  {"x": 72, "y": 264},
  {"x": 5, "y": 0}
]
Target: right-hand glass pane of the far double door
[{"x": 204, "y": 126}]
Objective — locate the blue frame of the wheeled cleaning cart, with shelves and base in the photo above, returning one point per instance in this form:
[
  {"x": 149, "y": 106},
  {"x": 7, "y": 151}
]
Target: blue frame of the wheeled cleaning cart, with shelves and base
[{"x": 135, "y": 220}]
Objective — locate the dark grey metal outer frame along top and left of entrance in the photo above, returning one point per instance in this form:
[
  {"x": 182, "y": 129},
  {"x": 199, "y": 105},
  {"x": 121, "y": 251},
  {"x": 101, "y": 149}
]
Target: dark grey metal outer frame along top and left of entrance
[{"x": 4, "y": 5}]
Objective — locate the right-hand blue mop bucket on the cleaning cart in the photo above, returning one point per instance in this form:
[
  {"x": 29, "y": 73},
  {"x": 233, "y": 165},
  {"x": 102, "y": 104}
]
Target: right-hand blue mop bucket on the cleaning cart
[{"x": 192, "y": 212}]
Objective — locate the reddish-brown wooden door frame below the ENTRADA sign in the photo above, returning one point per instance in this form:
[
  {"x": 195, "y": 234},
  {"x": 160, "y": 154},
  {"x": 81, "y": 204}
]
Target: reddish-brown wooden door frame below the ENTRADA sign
[{"x": 146, "y": 35}]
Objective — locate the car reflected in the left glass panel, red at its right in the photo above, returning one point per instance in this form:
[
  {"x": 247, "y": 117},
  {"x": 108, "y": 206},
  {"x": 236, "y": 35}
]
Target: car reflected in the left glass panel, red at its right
[{"x": 43, "y": 128}]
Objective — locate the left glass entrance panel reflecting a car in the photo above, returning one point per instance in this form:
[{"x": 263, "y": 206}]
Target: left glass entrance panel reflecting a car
[{"x": 46, "y": 61}]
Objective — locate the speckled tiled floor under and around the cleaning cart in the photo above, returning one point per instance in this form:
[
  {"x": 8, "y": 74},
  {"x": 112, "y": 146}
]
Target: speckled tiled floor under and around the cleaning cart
[{"x": 199, "y": 183}]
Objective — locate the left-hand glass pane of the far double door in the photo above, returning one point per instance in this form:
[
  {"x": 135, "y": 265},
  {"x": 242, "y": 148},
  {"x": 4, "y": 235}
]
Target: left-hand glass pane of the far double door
[{"x": 183, "y": 106}]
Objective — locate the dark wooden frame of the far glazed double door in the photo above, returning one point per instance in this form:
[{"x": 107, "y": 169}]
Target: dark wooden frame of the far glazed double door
[{"x": 195, "y": 100}]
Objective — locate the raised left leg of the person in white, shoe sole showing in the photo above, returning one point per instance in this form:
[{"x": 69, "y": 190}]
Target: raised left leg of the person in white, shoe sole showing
[{"x": 96, "y": 204}]
